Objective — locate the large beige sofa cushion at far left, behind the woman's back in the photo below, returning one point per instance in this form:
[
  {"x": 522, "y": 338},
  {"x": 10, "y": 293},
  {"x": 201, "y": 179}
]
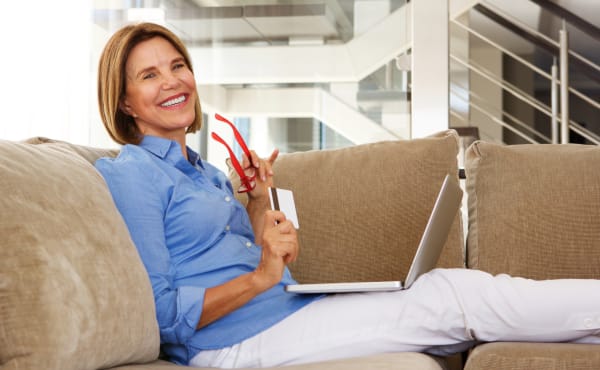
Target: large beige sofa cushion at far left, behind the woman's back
[{"x": 73, "y": 291}]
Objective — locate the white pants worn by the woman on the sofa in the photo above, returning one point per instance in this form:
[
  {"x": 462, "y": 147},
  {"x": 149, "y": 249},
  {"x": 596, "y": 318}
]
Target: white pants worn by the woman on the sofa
[{"x": 445, "y": 311}]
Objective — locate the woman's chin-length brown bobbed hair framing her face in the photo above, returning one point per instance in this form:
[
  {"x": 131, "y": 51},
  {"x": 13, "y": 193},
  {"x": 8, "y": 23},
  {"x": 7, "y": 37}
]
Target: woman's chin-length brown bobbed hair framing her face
[{"x": 112, "y": 79}]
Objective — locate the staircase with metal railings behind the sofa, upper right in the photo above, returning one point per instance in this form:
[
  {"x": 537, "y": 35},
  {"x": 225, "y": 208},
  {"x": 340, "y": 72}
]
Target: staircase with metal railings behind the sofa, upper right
[{"x": 523, "y": 80}]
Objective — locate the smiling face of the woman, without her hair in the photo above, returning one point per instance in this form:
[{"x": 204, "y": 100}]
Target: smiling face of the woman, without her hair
[{"x": 160, "y": 92}]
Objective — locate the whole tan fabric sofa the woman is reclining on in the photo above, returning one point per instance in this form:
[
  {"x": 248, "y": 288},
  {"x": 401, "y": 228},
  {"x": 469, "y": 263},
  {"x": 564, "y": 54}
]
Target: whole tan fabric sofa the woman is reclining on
[{"x": 74, "y": 293}]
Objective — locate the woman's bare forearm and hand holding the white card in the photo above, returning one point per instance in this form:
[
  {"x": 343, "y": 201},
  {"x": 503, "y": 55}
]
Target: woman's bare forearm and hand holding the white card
[{"x": 280, "y": 247}]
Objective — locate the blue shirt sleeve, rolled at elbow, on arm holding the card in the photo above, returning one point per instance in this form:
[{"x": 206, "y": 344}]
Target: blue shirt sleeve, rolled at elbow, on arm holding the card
[{"x": 142, "y": 200}]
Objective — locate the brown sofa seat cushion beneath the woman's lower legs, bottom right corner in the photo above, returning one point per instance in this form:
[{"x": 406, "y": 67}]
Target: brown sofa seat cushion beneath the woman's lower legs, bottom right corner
[{"x": 527, "y": 356}]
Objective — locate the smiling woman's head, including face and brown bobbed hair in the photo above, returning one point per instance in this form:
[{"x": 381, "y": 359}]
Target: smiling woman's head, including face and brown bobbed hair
[{"x": 159, "y": 97}]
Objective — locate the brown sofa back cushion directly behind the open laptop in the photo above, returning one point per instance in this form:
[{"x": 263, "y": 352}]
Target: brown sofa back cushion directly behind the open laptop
[{"x": 362, "y": 209}]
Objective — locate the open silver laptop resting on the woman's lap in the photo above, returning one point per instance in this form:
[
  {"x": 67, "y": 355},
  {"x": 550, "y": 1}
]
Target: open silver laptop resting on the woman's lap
[{"x": 425, "y": 259}]
